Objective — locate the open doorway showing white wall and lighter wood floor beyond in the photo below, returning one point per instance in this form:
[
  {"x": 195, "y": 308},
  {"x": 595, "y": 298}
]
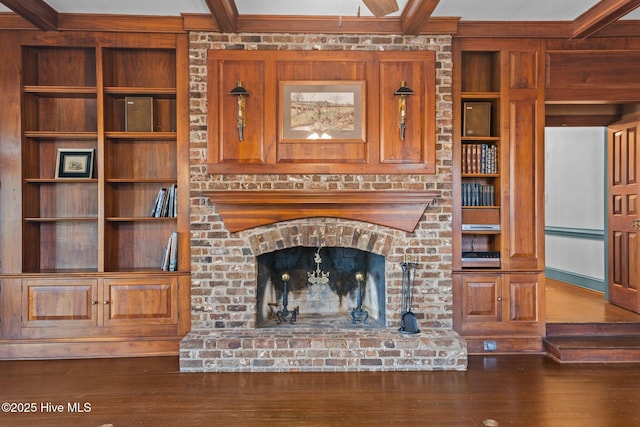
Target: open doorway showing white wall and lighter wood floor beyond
[{"x": 576, "y": 224}]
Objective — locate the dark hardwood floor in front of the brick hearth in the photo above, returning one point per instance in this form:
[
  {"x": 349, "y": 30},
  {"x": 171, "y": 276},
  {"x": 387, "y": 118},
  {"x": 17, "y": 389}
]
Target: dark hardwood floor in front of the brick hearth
[{"x": 529, "y": 390}]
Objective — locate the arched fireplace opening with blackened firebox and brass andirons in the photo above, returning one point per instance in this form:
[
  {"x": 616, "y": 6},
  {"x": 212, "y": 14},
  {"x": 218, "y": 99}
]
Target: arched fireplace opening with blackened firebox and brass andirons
[{"x": 323, "y": 287}]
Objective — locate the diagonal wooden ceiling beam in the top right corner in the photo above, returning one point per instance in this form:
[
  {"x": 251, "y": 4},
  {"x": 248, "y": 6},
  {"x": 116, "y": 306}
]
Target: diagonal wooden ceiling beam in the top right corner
[{"x": 600, "y": 15}]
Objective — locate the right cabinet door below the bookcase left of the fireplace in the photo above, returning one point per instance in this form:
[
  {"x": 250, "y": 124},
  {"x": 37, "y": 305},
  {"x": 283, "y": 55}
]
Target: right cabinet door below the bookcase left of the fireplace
[{"x": 140, "y": 301}]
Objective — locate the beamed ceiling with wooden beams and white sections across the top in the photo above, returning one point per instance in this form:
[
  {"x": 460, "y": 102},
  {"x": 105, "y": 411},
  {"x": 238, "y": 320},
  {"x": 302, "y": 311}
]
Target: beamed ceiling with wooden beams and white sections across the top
[{"x": 573, "y": 19}]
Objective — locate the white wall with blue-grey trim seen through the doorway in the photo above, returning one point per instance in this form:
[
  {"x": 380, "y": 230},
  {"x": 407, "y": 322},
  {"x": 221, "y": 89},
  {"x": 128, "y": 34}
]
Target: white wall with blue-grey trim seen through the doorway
[{"x": 575, "y": 210}]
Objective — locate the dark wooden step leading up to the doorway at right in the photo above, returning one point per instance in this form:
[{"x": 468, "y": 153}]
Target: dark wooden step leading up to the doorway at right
[{"x": 593, "y": 342}]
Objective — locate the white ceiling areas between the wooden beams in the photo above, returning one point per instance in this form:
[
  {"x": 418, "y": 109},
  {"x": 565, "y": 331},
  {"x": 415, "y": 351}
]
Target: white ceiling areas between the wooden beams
[{"x": 467, "y": 10}]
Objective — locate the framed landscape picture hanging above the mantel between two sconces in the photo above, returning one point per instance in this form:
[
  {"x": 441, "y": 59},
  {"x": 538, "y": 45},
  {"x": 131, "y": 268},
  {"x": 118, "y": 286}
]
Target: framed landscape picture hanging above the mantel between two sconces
[{"x": 322, "y": 110}]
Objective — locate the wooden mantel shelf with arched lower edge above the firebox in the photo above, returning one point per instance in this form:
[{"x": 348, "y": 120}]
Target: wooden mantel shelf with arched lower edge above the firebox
[{"x": 242, "y": 210}]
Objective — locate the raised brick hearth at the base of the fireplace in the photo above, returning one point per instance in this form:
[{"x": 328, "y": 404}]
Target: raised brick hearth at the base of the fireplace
[{"x": 310, "y": 349}]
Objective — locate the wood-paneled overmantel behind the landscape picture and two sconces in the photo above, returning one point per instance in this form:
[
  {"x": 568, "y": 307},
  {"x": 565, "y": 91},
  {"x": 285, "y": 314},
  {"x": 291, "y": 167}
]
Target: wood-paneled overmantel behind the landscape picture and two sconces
[{"x": 376, "y": 145}]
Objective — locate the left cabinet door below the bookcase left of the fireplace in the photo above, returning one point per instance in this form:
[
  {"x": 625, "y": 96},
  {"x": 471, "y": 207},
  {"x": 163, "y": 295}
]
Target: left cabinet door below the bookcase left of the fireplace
[{"x": 60, "y": 303}]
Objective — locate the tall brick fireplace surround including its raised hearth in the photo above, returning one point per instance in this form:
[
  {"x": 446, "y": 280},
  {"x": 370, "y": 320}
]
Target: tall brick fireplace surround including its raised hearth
[{"x": 224, "y": 255}]
